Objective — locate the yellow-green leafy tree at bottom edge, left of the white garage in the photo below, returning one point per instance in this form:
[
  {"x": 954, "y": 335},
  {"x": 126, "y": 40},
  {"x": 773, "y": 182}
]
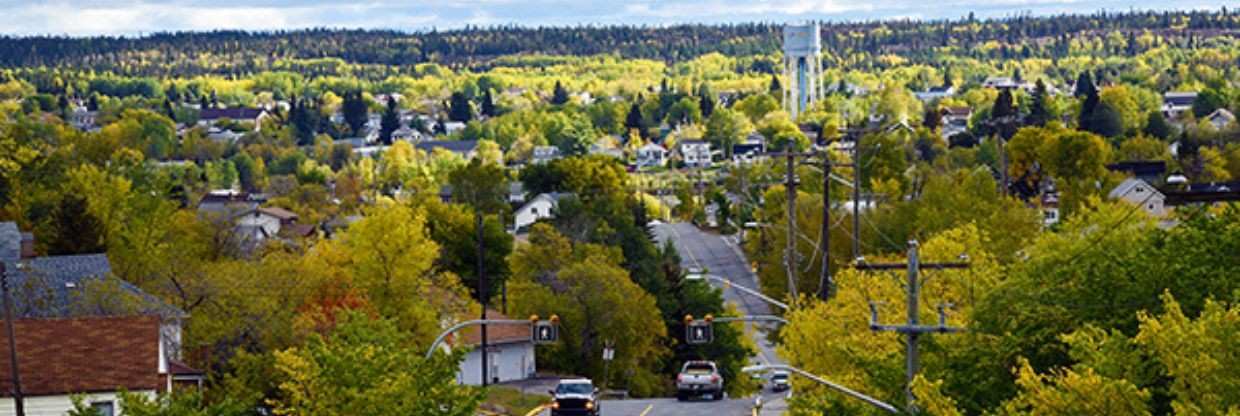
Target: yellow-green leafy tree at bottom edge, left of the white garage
[{"x": 368, "y": 366}]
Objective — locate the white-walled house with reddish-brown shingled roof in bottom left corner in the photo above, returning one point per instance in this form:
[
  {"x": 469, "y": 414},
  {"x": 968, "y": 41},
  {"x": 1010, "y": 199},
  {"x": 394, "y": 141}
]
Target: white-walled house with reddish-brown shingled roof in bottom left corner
[{"x": 94, "y": 357}]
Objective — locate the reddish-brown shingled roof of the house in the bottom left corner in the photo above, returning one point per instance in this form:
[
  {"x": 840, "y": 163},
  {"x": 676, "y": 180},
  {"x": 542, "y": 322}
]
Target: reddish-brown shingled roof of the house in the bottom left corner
[{"x": 91, "y": 355}]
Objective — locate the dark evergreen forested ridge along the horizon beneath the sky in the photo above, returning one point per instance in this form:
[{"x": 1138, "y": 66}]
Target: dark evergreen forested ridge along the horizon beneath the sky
[{"x": 185, "y": 54}]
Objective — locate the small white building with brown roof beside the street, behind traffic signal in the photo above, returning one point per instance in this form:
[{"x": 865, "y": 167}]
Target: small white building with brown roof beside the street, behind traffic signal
[{"x": 510, "y": 353}]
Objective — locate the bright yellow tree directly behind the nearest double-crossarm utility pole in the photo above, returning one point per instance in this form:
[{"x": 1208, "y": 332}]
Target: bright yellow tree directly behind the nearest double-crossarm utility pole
[{"x": 834, "y": 338}]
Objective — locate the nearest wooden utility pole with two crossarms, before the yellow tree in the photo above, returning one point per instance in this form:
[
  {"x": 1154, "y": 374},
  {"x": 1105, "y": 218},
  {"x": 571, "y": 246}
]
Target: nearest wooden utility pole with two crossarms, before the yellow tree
[{"x": 913, "y": 330}]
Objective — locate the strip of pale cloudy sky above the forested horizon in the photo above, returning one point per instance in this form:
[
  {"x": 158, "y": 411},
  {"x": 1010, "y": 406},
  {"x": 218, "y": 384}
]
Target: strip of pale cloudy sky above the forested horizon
[{"x": 133, "y": 18}]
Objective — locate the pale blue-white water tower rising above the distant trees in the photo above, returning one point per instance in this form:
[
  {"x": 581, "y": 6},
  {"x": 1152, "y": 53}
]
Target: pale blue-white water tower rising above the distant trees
[{"x": 803, "y": 68}]
